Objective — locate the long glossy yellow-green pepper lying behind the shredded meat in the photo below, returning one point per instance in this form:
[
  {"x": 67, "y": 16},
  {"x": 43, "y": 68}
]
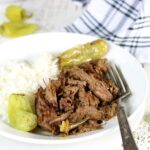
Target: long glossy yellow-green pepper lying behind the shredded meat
[{"x": 83, "y": 53}]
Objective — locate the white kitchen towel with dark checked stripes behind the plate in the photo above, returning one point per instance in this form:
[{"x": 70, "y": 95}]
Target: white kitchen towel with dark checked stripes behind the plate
[{"x": 124, "y": 22}]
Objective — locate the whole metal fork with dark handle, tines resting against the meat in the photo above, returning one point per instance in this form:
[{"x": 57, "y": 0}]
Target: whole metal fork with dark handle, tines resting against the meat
[{"x": 116, "y": 75}]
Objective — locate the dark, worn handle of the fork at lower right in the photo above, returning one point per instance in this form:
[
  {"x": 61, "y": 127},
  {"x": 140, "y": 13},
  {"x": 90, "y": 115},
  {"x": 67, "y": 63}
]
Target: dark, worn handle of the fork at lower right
[{"x": 127, "y": 137}]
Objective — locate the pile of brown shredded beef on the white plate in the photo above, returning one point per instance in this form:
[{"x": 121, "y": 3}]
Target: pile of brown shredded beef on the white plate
[{"x": 80, "y": 92}]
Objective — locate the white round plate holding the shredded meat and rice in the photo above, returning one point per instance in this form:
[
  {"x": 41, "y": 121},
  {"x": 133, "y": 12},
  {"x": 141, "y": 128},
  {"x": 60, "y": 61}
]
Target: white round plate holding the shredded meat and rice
[{"x": 27, "y": 47}]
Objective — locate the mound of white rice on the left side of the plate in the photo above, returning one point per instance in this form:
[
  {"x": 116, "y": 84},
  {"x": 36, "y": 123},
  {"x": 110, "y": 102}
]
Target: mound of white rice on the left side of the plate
[{"x": 25, "y": 77}]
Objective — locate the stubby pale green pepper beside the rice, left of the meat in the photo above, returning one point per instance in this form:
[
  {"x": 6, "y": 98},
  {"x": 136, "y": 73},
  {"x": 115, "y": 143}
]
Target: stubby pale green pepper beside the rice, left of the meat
[{"x": 20, "y": 112}]
